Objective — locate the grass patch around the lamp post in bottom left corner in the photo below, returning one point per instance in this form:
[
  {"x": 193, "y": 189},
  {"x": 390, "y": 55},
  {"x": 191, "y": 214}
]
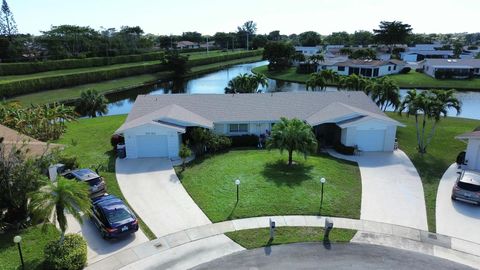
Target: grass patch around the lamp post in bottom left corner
[{"x": 33, "y": 243}]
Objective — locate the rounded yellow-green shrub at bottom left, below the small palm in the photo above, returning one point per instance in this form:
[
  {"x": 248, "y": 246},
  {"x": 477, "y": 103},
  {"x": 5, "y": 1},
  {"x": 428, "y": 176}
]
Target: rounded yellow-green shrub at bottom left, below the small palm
[{"x": 69, "y": 255}]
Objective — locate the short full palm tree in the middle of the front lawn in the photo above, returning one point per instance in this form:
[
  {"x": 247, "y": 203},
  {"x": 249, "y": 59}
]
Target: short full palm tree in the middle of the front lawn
[{"x": 292, "y": 135}]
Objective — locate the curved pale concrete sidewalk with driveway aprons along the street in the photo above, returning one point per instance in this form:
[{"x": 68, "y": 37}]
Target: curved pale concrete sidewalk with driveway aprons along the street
[{"x": 173, "y": 251}]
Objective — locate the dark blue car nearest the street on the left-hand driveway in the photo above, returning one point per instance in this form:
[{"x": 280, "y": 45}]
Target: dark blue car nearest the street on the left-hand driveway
[{"x": 113, "y": 218}]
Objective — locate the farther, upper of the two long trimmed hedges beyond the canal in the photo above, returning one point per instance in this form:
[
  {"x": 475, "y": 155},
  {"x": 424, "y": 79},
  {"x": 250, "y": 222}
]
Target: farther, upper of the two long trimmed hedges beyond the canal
[{"x": 43, "y": 66}]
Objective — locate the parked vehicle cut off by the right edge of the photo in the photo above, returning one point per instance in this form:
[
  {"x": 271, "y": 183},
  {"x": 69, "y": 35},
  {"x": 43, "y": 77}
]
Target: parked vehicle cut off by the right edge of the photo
[{"x": 467, "y": 188}]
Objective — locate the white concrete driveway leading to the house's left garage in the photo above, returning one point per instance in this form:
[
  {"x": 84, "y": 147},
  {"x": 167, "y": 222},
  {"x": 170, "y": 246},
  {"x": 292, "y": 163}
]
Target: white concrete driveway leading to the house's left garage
[{"x": 153, "y": 190}]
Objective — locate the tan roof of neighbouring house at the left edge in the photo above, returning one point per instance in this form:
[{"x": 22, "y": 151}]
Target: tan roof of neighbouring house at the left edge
[{"x": 13, "y": 139}]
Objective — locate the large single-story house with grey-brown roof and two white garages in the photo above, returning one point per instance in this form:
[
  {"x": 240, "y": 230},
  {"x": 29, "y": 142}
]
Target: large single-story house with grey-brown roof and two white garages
[{"x": 155, "y": 125}]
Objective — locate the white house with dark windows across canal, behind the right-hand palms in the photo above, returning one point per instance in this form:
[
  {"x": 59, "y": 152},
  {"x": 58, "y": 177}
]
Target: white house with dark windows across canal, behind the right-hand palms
[{"x": 366, "y": 68}]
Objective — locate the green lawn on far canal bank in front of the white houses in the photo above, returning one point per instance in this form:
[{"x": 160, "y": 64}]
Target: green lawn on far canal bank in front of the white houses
[{"x": 411, "y": 80}]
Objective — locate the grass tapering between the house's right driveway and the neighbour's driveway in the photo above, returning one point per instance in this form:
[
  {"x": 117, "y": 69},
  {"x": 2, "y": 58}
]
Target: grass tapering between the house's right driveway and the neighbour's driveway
[{"x": 441, "y": 153}]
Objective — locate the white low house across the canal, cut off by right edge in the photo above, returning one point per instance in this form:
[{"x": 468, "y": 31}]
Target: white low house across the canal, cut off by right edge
[{"x": 456, "y": 68}]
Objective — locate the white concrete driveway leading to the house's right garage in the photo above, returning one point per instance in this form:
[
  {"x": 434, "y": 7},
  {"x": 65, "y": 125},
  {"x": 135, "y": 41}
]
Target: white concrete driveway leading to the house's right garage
[{"x": 392, "y": 191}]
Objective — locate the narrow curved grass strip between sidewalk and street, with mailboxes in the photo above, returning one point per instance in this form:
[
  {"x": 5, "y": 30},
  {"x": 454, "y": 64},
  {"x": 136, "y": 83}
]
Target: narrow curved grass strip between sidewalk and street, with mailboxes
[{"x": 256, "y": 238}]
